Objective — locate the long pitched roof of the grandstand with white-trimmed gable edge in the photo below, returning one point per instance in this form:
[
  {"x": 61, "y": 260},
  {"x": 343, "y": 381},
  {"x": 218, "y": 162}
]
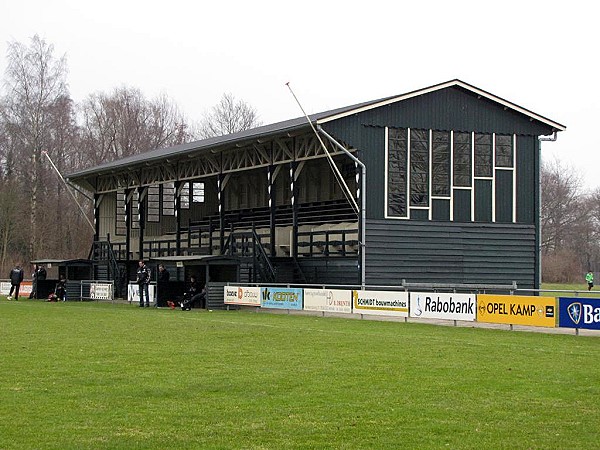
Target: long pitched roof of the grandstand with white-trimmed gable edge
[{"x": 299, "y": 123}]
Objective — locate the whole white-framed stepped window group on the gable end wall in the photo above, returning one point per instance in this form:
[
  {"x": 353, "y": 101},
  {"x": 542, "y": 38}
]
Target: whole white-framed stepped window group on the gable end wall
[{"x": 449, "y": 175}]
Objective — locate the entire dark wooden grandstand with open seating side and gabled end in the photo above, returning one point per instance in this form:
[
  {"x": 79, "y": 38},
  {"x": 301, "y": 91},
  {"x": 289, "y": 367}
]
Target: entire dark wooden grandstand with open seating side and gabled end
[{"x": 444, "y": 183}]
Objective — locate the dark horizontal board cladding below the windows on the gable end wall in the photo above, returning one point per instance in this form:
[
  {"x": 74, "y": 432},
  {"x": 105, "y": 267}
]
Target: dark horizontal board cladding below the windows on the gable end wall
[{"x": 449, "y": 253}]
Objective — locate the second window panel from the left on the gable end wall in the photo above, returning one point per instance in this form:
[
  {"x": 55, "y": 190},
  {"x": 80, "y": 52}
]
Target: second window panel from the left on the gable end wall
[{"x": 419, "y": 167}]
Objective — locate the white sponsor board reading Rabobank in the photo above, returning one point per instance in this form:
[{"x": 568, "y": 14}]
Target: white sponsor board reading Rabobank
[{"x": 429, "y": 305}]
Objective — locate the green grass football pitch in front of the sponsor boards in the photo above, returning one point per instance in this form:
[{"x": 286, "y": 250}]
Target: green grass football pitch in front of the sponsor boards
[{"x": 99, "y": 375}]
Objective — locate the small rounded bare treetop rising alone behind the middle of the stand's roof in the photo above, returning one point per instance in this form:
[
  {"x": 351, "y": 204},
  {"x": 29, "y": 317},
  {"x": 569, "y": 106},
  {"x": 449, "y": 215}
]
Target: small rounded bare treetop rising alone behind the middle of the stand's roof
[{"x": 227, "y": 117}]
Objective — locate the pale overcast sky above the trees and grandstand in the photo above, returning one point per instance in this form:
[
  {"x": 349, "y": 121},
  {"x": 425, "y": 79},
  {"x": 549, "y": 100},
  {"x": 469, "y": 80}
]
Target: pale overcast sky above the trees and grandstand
[{"x": 541, "y": 55}]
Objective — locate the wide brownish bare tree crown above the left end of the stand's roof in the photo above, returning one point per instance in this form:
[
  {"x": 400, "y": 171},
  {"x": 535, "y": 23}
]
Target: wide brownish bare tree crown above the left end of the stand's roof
[{"x": 125, "y": 123}]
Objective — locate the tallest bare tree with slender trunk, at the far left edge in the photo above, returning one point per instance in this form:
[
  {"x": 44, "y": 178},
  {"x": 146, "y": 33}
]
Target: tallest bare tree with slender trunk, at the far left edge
[{"x": 35, "y": 82}]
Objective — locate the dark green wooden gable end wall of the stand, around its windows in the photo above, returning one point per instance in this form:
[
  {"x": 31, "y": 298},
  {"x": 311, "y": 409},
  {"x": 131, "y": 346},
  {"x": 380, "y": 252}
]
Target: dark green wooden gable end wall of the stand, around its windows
[{"x": 423, "y": 250}]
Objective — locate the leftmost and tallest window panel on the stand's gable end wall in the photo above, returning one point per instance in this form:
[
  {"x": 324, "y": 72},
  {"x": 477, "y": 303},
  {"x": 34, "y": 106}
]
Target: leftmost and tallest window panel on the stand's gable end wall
[{"x": 397, "y": 170}]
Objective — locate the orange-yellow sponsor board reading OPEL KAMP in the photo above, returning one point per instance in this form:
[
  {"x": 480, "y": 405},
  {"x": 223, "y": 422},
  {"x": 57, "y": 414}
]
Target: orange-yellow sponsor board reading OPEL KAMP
[{"x": 517, "y": 310}]
